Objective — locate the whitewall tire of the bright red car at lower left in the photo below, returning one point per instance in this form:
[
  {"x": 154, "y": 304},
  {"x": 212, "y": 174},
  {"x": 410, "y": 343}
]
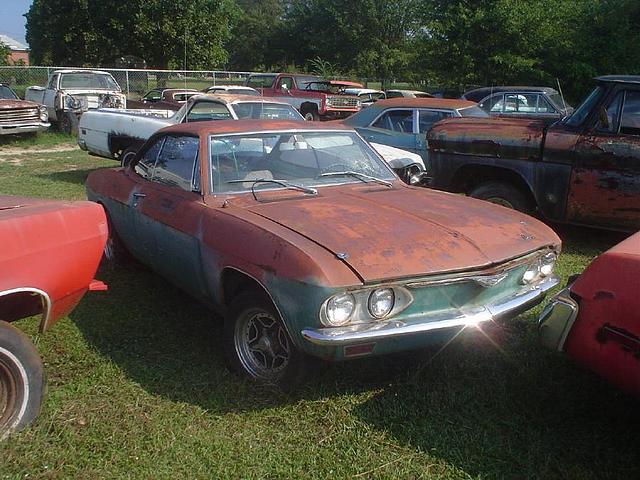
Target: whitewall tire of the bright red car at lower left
[{"x": 21, "y": 380}]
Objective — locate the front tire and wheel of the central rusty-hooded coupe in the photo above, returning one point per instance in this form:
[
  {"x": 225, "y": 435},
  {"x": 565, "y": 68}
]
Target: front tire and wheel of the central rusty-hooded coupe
[{"x": 252, "y": 313}]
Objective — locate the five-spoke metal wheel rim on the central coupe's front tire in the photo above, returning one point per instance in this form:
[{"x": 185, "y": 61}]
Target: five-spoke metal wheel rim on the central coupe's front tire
[{"x": 262, "y": 346}]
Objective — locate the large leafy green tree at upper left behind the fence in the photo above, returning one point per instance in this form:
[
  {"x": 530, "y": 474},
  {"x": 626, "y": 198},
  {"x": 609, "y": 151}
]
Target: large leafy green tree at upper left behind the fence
[{"x": 94, "y": 32}]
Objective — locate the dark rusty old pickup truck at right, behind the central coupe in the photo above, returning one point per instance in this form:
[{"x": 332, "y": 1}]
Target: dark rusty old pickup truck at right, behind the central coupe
[{"x": 583, "y": 169}]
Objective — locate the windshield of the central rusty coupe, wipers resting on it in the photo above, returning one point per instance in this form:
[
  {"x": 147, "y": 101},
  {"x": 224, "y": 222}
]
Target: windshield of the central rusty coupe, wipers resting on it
[{"x": 301, "y": 158}]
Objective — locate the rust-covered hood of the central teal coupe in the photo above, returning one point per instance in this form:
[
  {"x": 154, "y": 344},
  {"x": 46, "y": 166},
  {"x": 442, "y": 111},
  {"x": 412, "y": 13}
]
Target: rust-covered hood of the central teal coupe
[{"x": 404, "y": 232}]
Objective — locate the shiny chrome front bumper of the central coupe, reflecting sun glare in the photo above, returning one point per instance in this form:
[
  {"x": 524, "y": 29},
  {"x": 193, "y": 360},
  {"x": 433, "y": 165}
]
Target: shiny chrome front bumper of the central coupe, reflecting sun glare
[{"x": 368, "y": 332}]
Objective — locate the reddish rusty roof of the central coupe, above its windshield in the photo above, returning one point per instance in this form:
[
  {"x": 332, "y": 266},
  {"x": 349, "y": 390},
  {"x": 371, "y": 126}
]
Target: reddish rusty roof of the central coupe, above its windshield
[{"x": 220, "y": 127}]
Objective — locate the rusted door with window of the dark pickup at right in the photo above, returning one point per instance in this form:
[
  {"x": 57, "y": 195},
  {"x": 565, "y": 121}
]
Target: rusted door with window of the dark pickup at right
[{"x": 605, "y": 180}]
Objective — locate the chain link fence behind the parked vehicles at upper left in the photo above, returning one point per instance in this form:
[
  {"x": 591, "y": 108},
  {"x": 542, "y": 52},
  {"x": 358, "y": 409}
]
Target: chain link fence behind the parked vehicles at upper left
[{"x": 134, "y": 82}]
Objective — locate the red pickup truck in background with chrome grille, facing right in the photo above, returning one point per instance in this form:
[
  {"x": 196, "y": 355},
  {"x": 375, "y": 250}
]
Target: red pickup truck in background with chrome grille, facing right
[{"x": 315, "y": 98}]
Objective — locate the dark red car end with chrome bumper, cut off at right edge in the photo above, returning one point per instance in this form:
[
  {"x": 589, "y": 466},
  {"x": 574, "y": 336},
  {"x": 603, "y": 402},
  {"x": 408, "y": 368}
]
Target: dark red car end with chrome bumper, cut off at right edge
[{"x": 596, "y": 320}]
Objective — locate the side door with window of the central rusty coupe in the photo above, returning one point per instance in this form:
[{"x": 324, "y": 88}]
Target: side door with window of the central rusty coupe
[{"x": 171, "y": 213}]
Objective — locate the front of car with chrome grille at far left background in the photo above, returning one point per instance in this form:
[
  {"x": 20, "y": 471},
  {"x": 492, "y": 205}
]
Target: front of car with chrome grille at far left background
[{"x": 20, "y": 116}]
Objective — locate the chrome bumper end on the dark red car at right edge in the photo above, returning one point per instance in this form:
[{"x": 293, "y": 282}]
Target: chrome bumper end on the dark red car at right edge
[{"x": 556, "y": 320}]
